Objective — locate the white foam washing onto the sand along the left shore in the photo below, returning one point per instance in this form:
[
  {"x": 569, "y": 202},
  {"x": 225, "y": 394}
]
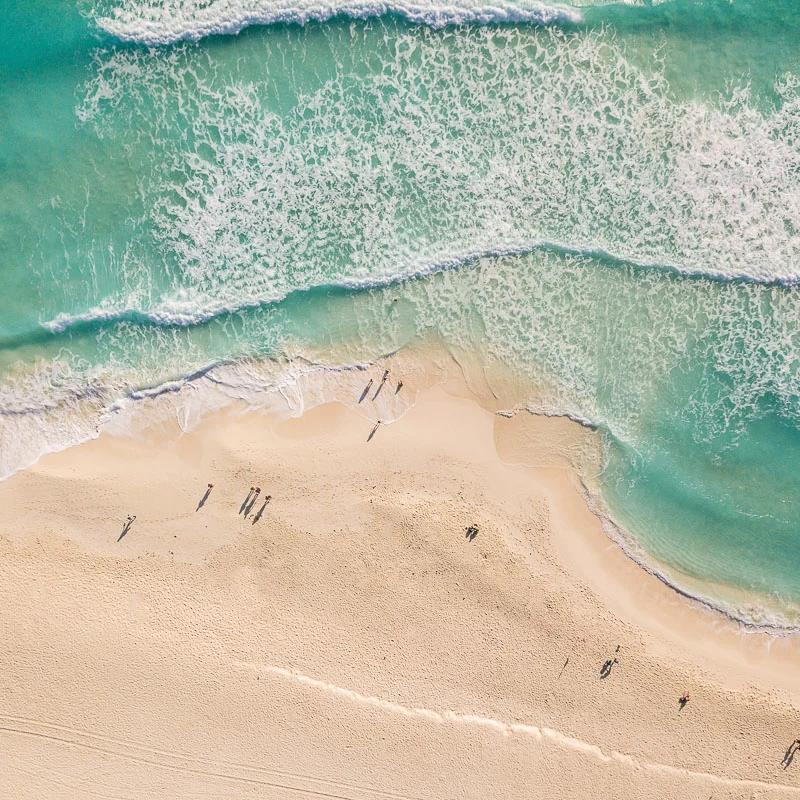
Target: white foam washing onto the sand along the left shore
[{"x": 62, "y": 403}]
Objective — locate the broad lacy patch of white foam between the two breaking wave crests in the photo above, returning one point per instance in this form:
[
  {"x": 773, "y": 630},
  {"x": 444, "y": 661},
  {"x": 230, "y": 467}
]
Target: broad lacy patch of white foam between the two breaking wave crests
[{"x": 420, "y": 147}]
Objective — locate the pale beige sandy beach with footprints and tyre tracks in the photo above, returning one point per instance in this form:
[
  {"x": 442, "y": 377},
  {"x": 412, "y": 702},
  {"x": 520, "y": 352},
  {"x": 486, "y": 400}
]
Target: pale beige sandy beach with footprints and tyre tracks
[{"x": 353, "y": 642}]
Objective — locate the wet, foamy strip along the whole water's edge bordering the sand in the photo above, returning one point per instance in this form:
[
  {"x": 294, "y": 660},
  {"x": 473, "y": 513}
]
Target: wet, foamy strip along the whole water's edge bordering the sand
[{"x": 310, "y": 383}]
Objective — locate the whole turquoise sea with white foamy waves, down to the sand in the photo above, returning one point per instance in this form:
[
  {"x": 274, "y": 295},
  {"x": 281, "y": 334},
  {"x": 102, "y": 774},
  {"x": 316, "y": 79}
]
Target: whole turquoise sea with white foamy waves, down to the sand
[{"x": 212, "y": 197}]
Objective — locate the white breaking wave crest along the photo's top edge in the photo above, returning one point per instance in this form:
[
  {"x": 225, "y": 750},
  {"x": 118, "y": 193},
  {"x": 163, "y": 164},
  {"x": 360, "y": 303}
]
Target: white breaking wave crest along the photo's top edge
[{"x": 159, "y": 23}]
